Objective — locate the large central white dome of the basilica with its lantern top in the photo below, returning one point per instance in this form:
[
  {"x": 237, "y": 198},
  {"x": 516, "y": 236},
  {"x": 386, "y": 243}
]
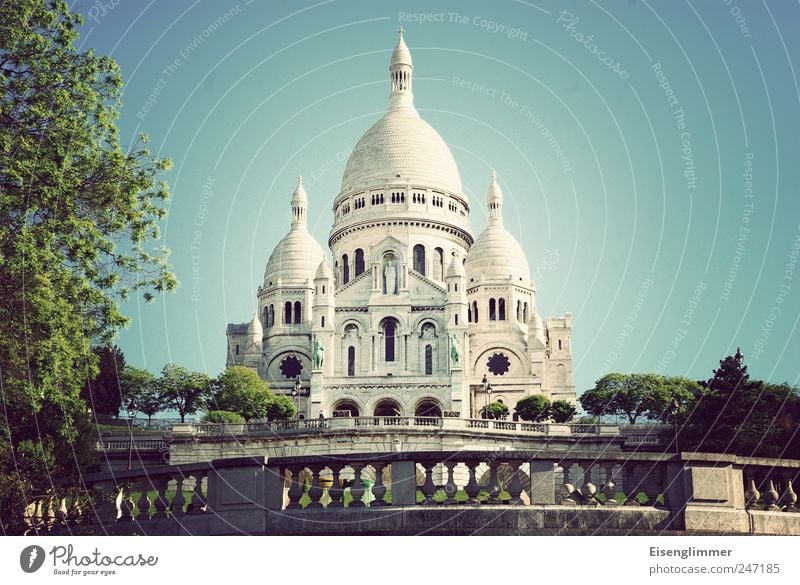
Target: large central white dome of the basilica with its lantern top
[{"x": 401, "y": 146}]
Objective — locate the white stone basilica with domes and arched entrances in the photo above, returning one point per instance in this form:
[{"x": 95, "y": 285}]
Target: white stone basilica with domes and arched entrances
[{"x": 413, "y": 315}]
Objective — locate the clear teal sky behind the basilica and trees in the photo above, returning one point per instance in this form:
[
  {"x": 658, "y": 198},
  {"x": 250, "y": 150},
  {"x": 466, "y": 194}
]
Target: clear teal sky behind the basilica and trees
[{"x": 648, "y": 151}]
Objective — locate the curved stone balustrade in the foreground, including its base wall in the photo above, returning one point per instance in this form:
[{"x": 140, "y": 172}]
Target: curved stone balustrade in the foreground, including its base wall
[{"x": 454, "y": 492}]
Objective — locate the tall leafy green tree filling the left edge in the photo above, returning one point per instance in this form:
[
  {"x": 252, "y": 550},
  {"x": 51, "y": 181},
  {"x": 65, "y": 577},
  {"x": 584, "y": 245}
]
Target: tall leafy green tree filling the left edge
[{"x": 78, "y": 217}]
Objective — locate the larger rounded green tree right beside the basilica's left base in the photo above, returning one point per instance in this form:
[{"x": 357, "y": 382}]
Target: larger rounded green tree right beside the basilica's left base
[{"x": 240, "y": 389}]
